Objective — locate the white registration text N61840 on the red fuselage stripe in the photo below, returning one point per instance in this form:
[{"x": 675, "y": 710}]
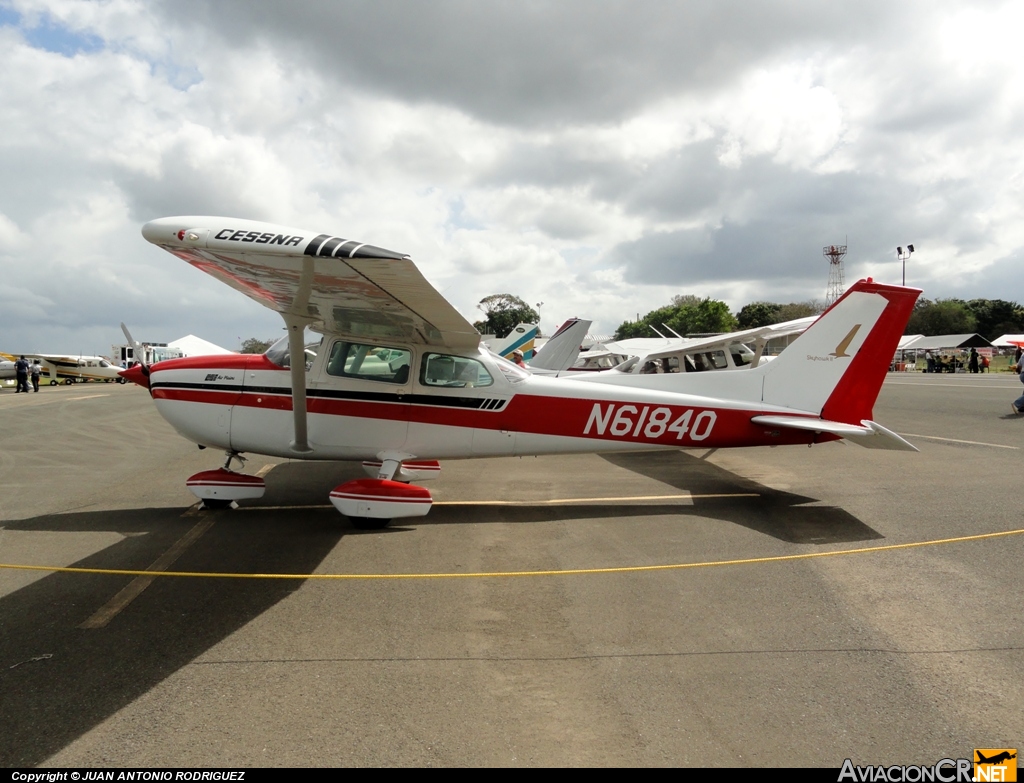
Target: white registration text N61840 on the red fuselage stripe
[{"x": 650, "y": 422}]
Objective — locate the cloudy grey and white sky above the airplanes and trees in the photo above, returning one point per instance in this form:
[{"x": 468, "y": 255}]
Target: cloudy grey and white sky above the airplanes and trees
[{"x": 596, "y": 157}]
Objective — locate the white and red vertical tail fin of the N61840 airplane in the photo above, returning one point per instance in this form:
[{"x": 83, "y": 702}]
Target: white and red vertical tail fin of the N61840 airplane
[{"x": 837, "y": 367}]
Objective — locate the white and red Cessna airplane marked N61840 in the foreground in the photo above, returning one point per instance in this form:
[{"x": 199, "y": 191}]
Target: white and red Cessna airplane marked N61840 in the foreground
[{"x": 401, "y": 380}]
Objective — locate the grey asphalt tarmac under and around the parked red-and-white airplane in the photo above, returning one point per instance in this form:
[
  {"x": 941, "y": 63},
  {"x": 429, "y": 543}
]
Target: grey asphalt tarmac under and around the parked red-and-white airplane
[{"x": 903, "y": 656}]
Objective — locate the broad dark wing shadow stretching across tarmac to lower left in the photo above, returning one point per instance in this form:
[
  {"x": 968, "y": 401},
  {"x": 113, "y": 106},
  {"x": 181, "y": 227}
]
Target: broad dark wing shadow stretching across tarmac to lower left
[{"x": 59, "y": 681}]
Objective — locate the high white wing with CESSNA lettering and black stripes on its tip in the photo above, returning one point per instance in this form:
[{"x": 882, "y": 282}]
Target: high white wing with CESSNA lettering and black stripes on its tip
[{"x": 334, "y": 285}]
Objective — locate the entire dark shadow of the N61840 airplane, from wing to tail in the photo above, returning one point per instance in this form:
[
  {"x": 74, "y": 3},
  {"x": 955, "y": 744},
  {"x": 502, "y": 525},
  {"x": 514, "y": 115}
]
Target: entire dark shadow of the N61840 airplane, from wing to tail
[{"x": 59, "y": 681}]
